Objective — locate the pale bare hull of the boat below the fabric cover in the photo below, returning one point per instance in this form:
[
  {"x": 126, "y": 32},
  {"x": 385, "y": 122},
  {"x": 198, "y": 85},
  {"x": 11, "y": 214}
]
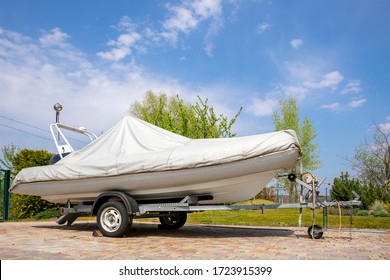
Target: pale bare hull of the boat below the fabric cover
[{"x": 223, "y": 183}]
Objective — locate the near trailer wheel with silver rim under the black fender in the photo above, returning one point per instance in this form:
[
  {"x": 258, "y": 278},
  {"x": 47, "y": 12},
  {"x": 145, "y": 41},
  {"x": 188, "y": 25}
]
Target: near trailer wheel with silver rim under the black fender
[{"x": 112, "y": 219}]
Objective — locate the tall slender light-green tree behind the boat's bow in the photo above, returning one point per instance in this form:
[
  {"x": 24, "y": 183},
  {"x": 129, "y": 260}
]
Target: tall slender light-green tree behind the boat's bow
[{"x": 288, "y": 118}]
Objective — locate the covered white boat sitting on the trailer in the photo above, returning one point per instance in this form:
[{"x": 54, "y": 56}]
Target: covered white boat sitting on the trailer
[{"x": 152, "y": 164}]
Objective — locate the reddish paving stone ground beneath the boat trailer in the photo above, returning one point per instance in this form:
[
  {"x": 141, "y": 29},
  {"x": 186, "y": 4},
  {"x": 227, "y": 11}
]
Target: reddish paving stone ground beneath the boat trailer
[{"x": 47, "y": 241}]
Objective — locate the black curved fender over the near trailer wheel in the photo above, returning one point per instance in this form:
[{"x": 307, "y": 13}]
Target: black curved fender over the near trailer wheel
[{"x": 129, "y": 202}]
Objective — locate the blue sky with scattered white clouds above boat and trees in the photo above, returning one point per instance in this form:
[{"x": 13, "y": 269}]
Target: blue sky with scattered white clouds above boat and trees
[{"x": 98, "y": 57}]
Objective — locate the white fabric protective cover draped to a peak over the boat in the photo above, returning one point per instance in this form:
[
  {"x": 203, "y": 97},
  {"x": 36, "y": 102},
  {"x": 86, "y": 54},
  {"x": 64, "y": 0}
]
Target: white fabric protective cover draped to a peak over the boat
[{"x": 134, "y": 146}]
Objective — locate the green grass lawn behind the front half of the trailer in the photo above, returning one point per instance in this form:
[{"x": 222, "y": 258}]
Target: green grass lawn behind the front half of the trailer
[{"x": 284, "y": 217}]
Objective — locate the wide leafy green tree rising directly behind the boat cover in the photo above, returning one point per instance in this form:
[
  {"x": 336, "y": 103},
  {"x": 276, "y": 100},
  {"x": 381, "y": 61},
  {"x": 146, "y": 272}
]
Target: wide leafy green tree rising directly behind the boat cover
[{"x": 173, "y": 114}]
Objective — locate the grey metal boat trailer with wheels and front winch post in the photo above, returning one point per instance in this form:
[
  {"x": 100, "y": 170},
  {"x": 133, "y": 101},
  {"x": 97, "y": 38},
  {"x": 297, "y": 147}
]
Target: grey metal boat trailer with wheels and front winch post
[{"x": 115, "y": 211}]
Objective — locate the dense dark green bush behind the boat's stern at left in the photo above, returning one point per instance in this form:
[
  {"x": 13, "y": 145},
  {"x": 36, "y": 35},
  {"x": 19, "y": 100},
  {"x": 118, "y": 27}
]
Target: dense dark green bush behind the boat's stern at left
[{"x": 25, "y": 206}]
